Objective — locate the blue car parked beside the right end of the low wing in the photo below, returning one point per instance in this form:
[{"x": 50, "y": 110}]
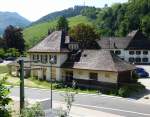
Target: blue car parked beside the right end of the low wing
[{"x": 141, "y": 72}]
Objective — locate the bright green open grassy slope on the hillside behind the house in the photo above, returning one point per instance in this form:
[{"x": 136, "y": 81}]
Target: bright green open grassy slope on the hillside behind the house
[{"x": 35, "y": 33}]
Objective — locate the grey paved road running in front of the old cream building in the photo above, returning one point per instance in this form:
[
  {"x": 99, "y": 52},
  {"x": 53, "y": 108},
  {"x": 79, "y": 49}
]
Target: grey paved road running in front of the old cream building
[{"x": 115, "y": 105}]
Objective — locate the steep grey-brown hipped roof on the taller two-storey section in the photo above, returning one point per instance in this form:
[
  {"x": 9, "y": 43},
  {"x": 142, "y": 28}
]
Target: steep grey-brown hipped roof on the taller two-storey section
[{"x": 53, "y": 43}]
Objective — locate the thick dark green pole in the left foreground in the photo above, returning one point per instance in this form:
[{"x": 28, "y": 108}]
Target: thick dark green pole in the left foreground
[{"x": 21, "y": 70}]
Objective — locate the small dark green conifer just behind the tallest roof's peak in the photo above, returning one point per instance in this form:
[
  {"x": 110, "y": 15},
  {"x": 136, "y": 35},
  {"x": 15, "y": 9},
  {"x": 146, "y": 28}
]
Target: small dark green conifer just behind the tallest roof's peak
[{"x": 62, "y": 24}]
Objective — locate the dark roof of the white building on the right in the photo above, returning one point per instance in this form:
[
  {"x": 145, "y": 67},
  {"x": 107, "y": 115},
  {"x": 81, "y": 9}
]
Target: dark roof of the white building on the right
[{"x": 134, "y": 40}]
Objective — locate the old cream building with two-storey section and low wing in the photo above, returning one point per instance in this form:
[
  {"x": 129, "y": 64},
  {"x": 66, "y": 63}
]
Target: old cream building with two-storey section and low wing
[{"x": 93, "y": 67}]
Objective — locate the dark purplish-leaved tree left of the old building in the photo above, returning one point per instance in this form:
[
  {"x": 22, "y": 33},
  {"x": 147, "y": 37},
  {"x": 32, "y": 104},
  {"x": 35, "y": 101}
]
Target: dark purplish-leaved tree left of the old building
[{"x": 14, "y": 38}]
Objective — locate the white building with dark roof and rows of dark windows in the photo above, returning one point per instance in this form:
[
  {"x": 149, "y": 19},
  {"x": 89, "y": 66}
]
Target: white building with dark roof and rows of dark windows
[{"x": 135, "y": 48}]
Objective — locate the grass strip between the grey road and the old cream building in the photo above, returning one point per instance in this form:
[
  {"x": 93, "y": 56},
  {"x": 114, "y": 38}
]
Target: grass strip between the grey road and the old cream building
[{"x": 34, "y": 83}]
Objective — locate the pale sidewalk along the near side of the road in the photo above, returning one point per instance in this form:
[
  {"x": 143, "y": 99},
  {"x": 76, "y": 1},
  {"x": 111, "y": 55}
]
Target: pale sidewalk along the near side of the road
[{"x": 76, "y": 111}]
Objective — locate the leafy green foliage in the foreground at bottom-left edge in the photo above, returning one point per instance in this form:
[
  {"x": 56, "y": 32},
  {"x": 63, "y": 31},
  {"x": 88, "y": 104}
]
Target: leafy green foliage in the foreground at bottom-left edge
[{"x": 4, "y": 99}]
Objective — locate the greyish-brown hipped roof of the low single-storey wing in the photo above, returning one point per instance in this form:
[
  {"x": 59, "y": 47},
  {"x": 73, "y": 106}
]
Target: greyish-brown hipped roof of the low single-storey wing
[{"x": 98, "y": 60}]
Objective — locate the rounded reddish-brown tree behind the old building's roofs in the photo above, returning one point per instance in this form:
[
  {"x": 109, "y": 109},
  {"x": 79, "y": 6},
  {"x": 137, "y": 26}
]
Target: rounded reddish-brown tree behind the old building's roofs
[{"x": 85, "y": 35}]
